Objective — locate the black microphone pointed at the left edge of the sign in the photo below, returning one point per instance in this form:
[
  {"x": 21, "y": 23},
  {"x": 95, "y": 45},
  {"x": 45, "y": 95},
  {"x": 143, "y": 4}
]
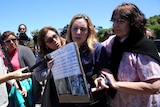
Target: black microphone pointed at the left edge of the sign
[{"x": 45, "y": 59}]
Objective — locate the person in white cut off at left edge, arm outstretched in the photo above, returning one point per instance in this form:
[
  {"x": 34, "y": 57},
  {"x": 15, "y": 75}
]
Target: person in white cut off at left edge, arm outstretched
[{"x": 7, "y": 77}]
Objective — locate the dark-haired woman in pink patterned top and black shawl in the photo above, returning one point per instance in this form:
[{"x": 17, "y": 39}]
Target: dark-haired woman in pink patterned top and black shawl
[{"x": 134, "y": 66}]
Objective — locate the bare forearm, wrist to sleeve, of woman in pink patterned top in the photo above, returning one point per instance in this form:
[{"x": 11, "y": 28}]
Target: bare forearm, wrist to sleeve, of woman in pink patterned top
[{"x": 146, "y": 87}]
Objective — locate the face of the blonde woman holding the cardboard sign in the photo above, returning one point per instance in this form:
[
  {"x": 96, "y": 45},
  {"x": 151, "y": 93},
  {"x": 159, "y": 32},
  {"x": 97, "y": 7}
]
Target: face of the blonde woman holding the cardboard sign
[{"x": 79, "y": 31}]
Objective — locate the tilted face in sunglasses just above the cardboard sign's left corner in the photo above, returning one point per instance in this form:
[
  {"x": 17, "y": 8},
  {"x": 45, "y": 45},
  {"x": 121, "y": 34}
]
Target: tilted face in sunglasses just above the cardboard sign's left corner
[{"x": 52, "y": 40}]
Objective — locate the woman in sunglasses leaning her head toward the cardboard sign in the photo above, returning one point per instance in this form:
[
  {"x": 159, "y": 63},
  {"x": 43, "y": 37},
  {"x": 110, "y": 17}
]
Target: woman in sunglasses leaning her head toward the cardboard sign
[{"x": 48, "y": 40}]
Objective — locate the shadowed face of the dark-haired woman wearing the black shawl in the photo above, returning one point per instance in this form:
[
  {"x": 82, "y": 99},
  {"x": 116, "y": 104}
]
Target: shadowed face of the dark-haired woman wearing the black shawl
[{"x": 120, "y": 26}]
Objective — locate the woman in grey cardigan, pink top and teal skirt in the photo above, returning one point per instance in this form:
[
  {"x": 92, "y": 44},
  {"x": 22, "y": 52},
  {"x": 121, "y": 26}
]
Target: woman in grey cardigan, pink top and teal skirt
[{"x": 20, "y": 56}]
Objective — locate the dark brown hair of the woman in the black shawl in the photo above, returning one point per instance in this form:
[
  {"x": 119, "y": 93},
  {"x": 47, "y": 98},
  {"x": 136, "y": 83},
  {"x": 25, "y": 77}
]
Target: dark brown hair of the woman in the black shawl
[{"x": 132, "y": 13}]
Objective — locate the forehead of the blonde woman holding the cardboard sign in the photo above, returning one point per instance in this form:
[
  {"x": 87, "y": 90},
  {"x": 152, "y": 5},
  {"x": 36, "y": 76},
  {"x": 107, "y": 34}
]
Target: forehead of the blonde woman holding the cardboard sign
[{"x": 80, "y": 22}]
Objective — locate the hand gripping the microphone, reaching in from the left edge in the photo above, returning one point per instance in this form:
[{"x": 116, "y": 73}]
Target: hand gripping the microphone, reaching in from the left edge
[{"x": 19, "y": 75}]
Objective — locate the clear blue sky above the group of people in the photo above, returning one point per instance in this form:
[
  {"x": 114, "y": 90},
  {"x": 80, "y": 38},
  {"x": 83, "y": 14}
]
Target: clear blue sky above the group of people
[{"x": 36, "y": 14}]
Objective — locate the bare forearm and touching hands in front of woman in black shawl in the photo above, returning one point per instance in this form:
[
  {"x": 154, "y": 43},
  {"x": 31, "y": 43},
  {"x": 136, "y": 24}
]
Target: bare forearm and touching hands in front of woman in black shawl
[{"x": 146, "y": 87}]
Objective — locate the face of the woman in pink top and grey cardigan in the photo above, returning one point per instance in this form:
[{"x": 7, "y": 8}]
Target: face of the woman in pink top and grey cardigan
[{"x": 11, "y": 43}]
